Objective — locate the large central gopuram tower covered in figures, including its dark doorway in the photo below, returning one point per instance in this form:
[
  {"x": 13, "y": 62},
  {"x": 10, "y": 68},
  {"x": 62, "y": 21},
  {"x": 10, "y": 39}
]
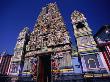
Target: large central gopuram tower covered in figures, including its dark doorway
[{"x": 49, "y": 45}]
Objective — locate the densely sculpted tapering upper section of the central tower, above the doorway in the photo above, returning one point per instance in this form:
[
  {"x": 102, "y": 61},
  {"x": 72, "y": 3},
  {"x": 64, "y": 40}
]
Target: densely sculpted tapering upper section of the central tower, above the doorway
[{"x": 49, "y": 31}]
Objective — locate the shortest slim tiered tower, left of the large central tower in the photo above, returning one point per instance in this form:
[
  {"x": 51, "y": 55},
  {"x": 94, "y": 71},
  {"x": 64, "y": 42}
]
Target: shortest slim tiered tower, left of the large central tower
[{"x": 17, "y": 60}]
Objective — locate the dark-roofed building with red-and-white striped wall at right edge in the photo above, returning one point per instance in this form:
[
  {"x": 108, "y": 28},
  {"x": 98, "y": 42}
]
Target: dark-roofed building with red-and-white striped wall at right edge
[{"x": 102, "y": 38}]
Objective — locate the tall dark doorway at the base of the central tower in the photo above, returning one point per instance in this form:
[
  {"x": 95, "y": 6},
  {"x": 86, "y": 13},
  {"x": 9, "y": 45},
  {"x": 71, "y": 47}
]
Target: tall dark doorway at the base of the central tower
[{"x": 45, "y": 68}]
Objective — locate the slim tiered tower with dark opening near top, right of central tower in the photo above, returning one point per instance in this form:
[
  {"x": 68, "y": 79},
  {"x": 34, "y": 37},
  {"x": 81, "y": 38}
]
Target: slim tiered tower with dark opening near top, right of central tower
[{"x": 85, "y": 43}]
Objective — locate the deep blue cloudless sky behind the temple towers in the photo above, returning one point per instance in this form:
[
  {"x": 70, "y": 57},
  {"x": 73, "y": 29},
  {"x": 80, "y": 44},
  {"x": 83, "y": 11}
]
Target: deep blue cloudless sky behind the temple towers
[{"x": 17, "y": 14}]
